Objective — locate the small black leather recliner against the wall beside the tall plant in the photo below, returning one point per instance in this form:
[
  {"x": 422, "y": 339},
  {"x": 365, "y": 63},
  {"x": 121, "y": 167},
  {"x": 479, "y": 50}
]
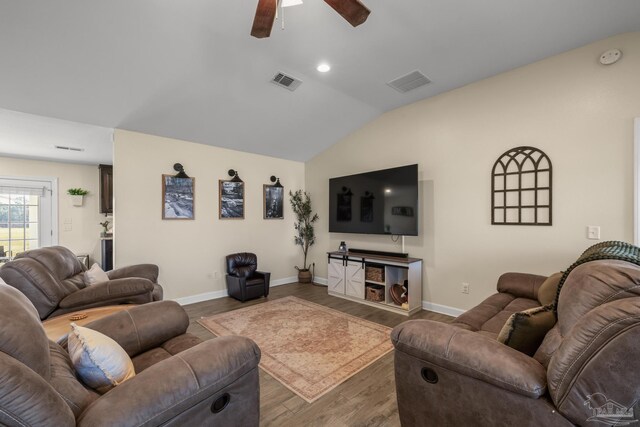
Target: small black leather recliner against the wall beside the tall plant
[{"x": 243, "y": 280}]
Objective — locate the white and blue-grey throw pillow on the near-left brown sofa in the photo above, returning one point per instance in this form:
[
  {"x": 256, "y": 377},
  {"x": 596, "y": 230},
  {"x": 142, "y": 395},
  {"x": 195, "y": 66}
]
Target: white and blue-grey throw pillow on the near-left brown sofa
[{"x": 99, "y": 361}]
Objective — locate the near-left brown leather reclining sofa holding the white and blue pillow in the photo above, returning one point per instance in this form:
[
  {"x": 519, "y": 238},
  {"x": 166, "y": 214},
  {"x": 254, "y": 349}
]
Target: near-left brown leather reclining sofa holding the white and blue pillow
[{"x": 179, "y": 379}]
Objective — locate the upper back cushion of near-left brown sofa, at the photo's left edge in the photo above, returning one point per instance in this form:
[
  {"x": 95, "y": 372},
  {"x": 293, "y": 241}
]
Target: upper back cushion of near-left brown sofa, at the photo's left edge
[{"x": 22, "y": 336}]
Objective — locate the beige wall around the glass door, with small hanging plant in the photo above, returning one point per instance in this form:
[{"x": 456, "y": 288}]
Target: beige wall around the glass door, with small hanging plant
[{"x": 83, "y": 238}]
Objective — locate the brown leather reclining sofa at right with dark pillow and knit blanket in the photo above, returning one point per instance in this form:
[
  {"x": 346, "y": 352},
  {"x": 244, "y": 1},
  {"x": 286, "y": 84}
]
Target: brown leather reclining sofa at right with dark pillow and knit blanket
[{"x": 586, "y": 370}]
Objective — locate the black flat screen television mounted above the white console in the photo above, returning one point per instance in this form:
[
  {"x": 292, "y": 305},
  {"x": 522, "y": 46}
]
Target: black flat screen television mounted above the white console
[{"x": 378, "y": 202}]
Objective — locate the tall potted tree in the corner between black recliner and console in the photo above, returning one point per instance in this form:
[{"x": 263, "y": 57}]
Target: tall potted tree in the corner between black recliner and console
[{"x": 305, "y": 235}]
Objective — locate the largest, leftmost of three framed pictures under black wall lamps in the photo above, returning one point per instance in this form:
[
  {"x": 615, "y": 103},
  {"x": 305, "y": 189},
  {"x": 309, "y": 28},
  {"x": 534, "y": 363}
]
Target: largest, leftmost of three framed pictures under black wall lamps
[{"x": 177, "y": 197}]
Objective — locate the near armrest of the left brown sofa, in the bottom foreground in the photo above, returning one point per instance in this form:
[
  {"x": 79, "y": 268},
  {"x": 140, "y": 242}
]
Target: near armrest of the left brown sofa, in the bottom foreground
[{"x": 172, "y": 388}]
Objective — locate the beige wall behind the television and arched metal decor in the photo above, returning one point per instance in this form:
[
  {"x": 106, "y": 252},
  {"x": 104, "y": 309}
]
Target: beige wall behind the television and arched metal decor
[{"x": 576, "y": 110}]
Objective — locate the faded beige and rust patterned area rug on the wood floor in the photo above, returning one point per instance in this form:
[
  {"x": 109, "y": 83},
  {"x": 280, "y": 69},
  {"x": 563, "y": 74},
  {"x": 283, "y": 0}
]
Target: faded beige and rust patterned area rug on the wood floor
[{"x": 307, "y": 347}]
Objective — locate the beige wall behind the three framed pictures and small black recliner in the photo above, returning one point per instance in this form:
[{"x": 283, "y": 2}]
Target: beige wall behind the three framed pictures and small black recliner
[{"x": 191, "y": 253}]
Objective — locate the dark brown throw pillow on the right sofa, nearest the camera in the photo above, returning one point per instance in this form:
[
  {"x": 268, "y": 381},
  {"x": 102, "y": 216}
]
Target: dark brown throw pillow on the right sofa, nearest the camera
[{"x": 525, "y": 330}]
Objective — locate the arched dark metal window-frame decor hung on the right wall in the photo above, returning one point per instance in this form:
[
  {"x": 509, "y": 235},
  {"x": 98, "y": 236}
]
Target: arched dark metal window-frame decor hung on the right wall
[{"x": 521, "y": 188}]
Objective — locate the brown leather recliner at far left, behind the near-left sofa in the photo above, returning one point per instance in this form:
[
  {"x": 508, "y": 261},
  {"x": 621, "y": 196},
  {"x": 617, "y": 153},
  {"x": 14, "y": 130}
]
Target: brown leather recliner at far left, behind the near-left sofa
[{"x": 53, "y": 280}]
